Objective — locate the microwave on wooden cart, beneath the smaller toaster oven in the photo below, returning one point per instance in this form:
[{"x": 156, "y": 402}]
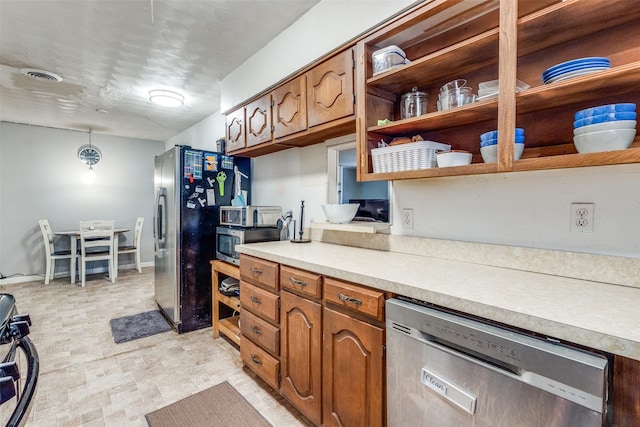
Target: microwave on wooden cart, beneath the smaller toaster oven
[{"x": 228, "y": 238}]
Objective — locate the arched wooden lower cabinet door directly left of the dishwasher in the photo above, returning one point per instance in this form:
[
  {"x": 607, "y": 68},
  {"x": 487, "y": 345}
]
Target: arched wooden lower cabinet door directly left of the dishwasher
[{"x": 353, "y": 372}]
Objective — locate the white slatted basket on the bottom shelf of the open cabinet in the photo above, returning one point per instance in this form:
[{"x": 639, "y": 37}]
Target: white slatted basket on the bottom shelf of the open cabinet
[{"x": 406, "y": 157}]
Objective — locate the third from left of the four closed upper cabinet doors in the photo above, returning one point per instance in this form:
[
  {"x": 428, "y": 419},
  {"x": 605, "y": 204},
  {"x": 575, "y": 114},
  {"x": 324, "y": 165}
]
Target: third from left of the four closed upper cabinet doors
[{"x": 290, "y": 107}]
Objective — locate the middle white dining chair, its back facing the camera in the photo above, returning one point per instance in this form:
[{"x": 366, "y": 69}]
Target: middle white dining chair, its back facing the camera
[{"x": 96, "y": 244}]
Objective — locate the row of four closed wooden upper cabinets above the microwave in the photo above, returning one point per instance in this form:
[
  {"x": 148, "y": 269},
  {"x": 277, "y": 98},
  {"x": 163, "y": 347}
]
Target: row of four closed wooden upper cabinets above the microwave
[{"x": 313, "y": 106}]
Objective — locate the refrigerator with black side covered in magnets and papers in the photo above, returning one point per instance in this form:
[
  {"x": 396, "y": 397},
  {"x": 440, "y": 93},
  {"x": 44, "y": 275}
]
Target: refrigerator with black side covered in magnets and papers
[{"x": 190, "y": 186}]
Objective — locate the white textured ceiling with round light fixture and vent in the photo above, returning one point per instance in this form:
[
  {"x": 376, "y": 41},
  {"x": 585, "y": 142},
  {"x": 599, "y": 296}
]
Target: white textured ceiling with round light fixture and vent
[{"x": 110, "y": 53}]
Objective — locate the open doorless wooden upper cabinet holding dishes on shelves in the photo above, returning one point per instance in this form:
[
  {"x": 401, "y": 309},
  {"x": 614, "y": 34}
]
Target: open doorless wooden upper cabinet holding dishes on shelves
[{"x": 504, "y": 40}]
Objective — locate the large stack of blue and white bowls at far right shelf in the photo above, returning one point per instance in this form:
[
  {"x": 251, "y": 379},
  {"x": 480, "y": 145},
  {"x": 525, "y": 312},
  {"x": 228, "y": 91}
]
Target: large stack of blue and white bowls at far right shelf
[{"x": 604, "y": 128}]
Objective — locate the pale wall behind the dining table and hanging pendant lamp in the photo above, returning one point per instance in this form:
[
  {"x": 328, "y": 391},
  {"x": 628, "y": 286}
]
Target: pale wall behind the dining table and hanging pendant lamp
[{"x": 42, "y": 178}]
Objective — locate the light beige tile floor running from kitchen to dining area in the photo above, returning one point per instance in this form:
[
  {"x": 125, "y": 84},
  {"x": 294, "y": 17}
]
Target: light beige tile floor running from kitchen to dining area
[{"x": 88, "y": 380}]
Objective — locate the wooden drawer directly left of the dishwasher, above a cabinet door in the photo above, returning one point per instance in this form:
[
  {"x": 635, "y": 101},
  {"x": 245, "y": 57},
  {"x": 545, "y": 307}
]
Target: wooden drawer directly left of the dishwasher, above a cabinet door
[{"x": 368, "y": 302}]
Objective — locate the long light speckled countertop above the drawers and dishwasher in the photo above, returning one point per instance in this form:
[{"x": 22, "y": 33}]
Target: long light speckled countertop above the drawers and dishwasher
[{"x": 594, "y": 314}]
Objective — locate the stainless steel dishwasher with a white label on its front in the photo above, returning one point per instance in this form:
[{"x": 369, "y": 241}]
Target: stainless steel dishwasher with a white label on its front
[{"x": 447, "y": 370}]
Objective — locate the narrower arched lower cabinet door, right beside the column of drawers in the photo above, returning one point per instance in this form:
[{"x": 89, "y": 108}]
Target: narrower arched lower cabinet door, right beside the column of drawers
[{"x": 301, "y": 354}]
